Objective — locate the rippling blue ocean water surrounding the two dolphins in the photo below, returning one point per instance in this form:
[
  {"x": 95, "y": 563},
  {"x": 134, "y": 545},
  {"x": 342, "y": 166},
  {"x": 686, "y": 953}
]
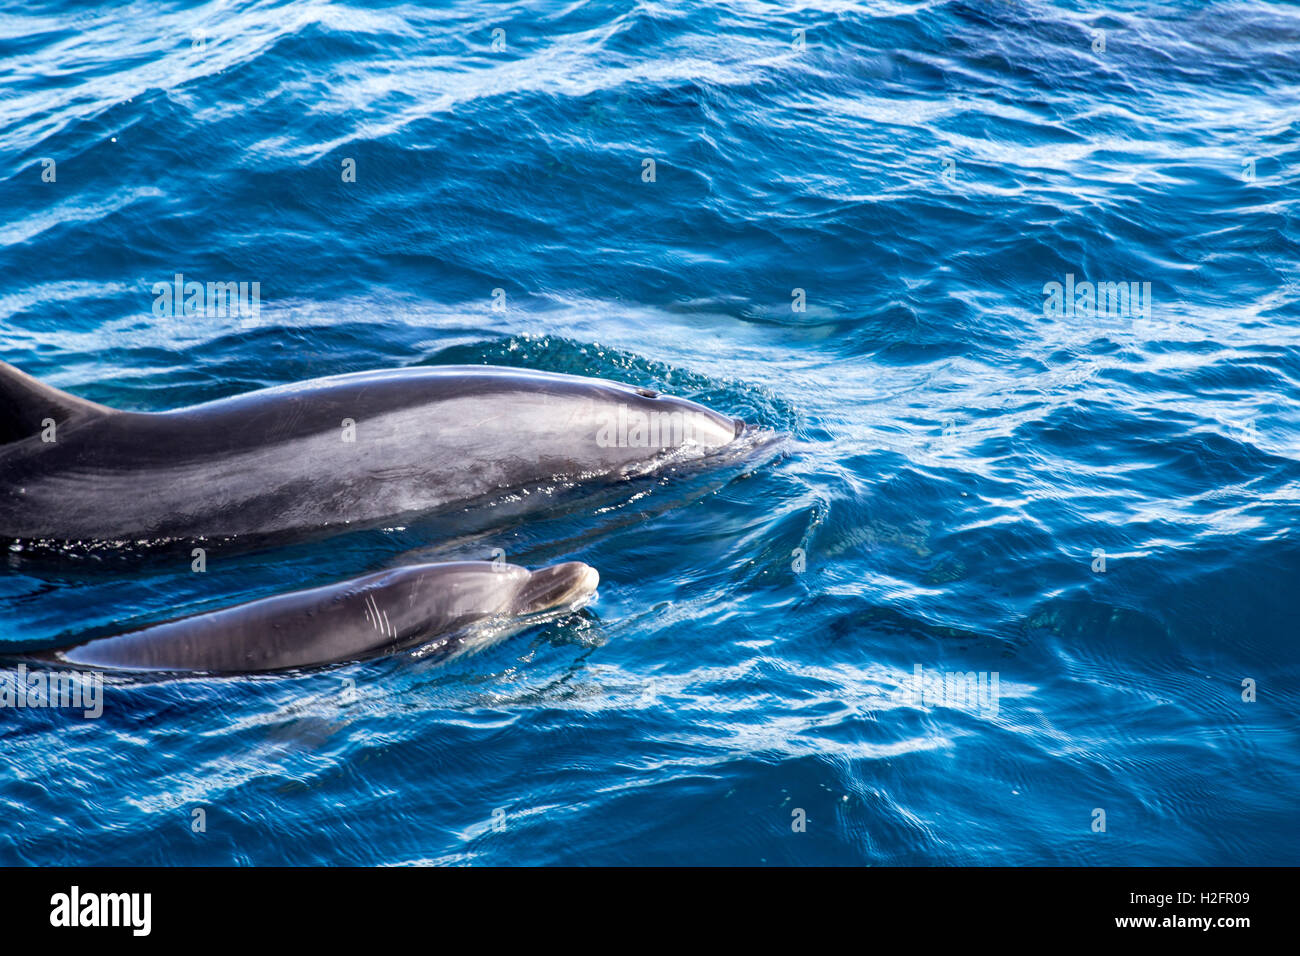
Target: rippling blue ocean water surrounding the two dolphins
[{"x": 840, "y": 222}]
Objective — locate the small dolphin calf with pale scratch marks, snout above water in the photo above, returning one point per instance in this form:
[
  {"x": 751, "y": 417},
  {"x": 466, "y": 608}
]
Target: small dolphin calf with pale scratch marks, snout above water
[{"x": 382, "y": 613}]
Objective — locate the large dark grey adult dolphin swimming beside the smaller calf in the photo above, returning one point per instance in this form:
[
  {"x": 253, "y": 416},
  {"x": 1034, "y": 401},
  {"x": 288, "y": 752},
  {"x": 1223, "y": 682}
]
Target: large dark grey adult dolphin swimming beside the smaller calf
[{"x": 346, "y": 451}]
